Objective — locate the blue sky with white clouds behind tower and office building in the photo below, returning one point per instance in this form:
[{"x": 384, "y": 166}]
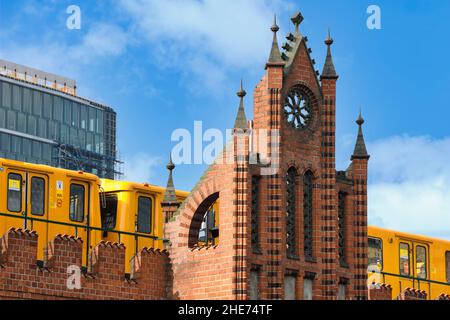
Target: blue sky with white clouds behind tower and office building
[{"x": 164, "y": 64}]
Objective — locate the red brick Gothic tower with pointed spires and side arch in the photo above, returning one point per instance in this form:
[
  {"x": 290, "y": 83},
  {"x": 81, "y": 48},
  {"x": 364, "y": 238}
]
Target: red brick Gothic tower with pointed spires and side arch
[{"x": 291, "y": 226}]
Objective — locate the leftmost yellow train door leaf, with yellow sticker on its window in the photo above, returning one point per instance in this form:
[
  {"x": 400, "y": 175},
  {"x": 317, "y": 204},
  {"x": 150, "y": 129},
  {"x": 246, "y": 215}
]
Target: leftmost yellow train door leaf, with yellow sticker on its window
[{"x": 15, "y": 204}]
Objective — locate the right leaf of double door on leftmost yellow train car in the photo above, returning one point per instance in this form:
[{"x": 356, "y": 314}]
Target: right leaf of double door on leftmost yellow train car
[{"x": 37, "y": 204}]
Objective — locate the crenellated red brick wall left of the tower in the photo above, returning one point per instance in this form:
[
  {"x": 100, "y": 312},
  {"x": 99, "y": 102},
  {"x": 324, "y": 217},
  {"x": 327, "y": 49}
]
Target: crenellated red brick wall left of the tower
[{"x": 61, "y": 277}]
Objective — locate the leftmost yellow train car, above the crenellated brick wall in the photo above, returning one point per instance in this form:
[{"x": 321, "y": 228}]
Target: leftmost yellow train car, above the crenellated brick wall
[{"x": 50, "y": 201}]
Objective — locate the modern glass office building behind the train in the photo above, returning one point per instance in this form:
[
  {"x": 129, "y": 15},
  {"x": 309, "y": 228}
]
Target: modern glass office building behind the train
[{"x": 42, "y": 120}]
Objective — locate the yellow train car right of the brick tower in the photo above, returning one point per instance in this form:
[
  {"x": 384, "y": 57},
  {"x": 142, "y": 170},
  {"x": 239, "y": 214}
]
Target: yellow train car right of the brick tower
[{"x": 406, "y": 260}]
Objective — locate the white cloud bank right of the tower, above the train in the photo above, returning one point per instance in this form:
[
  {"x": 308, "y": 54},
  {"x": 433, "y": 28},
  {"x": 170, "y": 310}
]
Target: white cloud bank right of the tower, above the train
[{"x": 409, "y": 187}]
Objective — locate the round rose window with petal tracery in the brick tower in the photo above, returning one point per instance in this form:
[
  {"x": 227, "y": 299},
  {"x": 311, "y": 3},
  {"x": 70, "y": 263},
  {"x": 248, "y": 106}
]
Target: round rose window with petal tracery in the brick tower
[{"x": 297, "y": 108}]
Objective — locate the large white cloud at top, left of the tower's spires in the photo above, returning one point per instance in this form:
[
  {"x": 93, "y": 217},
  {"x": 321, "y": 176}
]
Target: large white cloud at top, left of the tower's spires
[{"x": 206, "y": 37}]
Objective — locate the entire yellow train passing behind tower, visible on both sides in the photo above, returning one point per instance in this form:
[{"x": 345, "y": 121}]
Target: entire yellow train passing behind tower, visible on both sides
[{"x": 55, "y": 201}]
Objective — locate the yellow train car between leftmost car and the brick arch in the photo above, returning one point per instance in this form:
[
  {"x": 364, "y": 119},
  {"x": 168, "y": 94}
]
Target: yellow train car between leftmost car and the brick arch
[{"x": 131, "y": 214}]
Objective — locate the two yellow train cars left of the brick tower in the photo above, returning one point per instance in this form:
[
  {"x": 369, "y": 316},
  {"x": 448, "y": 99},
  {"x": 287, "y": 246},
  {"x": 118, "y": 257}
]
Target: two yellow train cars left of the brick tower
[{"x": 54, "y": 201}]
